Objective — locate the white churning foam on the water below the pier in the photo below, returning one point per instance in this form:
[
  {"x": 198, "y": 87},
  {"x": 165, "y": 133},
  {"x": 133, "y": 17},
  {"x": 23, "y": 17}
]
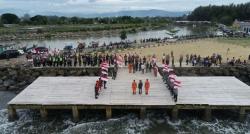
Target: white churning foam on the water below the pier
[{"x": 155, "y": 122}]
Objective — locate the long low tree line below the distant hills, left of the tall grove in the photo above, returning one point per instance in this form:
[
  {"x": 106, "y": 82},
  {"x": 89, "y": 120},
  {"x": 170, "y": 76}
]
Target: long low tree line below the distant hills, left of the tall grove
[{"x": 9, "y": 18}]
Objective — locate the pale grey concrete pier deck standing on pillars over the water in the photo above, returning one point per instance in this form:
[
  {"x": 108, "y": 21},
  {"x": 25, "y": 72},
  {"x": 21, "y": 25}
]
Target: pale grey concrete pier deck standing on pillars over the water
[{"x": 76, "y": 93}]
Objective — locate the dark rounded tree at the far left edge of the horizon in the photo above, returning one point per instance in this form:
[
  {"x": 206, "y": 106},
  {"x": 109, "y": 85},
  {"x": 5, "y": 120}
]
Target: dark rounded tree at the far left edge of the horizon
[{"x": 9, "y": 18}]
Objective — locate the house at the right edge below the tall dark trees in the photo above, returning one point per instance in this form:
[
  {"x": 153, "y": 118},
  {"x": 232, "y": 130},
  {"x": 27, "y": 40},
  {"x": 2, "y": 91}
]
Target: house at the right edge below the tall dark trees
[{"x": 243, "y": 26}]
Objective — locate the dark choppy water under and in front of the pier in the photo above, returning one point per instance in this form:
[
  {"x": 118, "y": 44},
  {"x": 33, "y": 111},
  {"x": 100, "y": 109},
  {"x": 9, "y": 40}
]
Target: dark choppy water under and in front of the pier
[{"x": 123, "y": 122}]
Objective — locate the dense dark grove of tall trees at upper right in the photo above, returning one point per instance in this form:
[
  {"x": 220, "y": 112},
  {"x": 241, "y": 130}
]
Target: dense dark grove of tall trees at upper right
[{"x": 221, "y": 14}]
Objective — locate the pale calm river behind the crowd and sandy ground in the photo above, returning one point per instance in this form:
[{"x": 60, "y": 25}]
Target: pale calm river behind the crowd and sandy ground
[{"x": 159, "y": 33}]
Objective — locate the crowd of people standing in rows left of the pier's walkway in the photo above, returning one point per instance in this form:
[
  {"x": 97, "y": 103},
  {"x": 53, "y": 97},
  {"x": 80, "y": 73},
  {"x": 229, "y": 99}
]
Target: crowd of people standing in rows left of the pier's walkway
[{"x": 58, "y": 59}]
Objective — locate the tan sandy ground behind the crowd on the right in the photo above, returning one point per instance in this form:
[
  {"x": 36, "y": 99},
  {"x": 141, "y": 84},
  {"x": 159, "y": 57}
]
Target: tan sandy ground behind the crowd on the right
[{"x": 204, "y": 47}]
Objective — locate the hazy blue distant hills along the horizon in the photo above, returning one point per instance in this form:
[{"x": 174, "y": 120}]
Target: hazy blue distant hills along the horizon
[{"x": 133, "y": 13}]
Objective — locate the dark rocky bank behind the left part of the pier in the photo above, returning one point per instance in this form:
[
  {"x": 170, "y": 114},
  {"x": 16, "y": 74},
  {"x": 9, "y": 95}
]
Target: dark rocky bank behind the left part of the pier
[{"x": 16, "y": 79}]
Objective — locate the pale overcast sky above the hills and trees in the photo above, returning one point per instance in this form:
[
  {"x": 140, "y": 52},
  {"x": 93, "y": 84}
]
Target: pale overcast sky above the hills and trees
[{"x": 103, "y": 6}]
